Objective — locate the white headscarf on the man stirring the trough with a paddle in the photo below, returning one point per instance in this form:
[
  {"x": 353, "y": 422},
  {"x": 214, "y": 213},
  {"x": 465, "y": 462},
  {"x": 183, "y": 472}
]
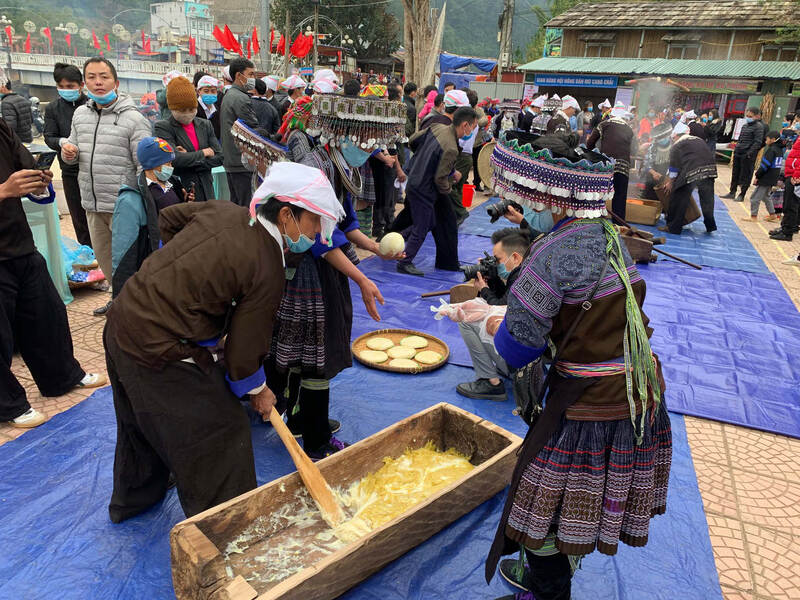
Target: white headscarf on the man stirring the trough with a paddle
[{"x": 305, "y": 187}]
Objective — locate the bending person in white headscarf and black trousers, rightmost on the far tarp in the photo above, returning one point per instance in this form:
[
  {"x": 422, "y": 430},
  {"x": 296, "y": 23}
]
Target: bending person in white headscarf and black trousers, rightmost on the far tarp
[{"x": 691, "y": 166}]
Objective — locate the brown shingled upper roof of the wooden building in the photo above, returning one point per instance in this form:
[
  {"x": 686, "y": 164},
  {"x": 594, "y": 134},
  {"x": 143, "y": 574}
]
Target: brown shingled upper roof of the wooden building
[{"x": 691, "y": 14}]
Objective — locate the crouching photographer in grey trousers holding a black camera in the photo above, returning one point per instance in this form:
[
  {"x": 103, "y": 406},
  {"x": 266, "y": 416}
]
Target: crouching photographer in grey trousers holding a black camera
[{"x": 493, "y": 276}]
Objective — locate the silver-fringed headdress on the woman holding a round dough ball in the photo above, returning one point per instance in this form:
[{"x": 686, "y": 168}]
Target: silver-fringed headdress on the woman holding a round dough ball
[{"x": 369, "y": 123}]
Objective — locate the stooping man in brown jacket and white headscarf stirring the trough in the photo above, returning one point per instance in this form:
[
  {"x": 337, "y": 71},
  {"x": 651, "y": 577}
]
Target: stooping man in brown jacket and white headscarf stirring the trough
[{"x": 219, "y": 275}]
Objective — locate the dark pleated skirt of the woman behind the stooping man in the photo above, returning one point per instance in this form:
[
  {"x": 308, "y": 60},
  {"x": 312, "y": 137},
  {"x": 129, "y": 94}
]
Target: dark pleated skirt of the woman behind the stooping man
[{"x": 298, "y": 336}]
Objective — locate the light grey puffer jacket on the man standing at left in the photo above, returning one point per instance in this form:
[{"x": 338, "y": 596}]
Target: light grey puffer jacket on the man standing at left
[{"x": 106, "y": 141}]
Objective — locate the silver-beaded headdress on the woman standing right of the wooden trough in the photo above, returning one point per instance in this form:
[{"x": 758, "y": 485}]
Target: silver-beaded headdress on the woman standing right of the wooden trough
[{"x": 539, "y": 178}]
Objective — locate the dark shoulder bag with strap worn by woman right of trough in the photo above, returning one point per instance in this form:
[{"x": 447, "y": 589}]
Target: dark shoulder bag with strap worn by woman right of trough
[{"x": 530, "y": 384}]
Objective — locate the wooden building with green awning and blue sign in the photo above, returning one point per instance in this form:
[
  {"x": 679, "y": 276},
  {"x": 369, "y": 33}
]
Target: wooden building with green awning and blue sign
[{"x": 696, "y": 54}]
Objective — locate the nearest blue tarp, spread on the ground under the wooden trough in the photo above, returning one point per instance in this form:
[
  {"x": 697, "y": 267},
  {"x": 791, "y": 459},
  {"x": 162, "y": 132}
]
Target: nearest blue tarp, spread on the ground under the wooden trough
[{"x": 59, "y": 544}]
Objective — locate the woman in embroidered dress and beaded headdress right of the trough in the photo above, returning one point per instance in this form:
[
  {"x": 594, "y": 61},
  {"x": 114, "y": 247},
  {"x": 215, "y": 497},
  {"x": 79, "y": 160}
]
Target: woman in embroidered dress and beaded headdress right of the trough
[{"x": 594, "y": 468}]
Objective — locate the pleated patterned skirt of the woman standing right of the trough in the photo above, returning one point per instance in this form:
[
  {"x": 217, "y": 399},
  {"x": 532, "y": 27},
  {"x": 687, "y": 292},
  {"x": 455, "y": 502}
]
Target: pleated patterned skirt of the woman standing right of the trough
[{"x": 592, "y": 486}]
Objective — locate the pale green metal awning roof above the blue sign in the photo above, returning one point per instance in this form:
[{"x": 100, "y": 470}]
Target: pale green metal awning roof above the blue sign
[{"x": 746, "y": 69}]
